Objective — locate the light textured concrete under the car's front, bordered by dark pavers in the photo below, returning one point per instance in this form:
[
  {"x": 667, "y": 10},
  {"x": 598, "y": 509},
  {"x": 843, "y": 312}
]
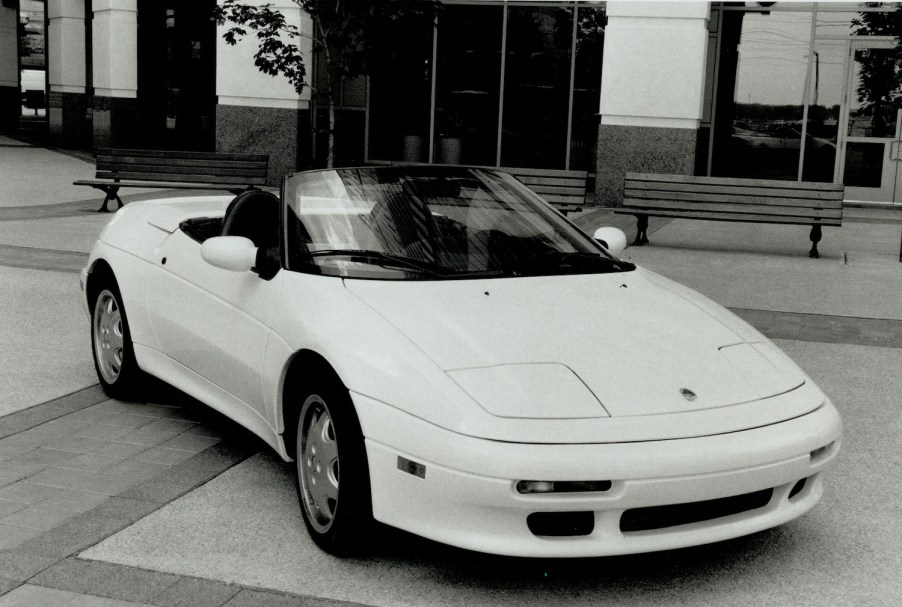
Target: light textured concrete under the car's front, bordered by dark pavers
[{"x": 244, "y": 527}]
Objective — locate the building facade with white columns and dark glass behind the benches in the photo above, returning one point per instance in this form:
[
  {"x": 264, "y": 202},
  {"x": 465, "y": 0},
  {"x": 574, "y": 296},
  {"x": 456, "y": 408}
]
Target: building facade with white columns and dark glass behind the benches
[{"x": 758, "y": 90}]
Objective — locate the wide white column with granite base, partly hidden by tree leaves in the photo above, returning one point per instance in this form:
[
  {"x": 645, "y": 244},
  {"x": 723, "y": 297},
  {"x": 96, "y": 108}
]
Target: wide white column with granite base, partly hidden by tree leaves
[{"x": 260, "y": 113}]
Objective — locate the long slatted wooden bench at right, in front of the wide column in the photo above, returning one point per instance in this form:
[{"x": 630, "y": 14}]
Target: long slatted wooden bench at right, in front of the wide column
[{"x": 729, "y": 199}]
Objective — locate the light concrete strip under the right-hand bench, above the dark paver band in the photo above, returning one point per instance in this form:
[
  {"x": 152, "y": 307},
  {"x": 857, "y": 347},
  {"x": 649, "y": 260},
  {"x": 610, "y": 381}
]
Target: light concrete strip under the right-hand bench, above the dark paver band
[{"x": 766, "y": 267}]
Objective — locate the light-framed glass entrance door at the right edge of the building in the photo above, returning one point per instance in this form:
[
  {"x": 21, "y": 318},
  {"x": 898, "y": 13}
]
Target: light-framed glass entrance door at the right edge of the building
[{"x": 873, "y": 124}]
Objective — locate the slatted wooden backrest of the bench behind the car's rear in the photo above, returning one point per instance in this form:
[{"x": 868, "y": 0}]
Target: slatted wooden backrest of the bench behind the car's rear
[{"x": 182, "y": 167}]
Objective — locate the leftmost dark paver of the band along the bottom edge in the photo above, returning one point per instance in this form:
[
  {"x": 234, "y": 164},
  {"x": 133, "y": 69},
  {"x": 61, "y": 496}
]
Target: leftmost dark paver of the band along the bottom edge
[{"x": 105, "y": 579}]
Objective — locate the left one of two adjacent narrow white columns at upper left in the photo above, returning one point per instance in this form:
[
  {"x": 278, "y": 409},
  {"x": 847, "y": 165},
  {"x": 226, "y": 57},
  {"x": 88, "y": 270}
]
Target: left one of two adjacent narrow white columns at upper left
[{"x": 67, "y": 120}]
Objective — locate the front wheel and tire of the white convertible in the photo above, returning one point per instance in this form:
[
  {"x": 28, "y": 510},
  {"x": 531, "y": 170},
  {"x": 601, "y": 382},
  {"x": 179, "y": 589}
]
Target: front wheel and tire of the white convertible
[{"x": 332, "y": 471}]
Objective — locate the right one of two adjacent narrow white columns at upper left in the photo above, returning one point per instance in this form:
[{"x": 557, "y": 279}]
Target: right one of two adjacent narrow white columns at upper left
[{"x": 115, "y": 72}]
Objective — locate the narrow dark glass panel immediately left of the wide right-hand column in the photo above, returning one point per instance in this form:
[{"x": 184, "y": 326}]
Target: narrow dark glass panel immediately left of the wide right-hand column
[{"x": 587, "y": 87}]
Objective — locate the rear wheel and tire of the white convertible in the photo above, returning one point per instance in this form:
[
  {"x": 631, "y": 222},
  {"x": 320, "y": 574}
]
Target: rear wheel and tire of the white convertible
[{"x": 111, "y": 343}]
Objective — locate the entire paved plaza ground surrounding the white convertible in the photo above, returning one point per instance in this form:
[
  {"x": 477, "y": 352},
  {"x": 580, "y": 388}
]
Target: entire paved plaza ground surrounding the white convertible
[{"x": 168, "y": 503}]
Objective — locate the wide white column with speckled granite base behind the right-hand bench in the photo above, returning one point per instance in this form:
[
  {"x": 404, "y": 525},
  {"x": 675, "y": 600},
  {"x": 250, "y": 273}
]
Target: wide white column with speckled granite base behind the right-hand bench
[{"x": 652, "y": 87}]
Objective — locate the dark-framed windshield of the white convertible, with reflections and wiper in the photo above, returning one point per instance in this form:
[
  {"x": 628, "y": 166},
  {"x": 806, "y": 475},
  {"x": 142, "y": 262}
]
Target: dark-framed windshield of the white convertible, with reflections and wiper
[{"x": 430, "y": 223}]
